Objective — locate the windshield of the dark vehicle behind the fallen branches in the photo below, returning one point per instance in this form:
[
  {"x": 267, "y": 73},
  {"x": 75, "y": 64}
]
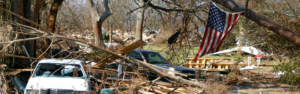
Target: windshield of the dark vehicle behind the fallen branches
[{"x": 154, "y": 58}]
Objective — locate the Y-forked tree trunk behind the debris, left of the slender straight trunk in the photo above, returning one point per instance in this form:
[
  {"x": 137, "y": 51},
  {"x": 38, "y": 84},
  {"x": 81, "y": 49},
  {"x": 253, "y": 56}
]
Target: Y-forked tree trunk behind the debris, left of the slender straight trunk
[{"x": 97, "y": 21}]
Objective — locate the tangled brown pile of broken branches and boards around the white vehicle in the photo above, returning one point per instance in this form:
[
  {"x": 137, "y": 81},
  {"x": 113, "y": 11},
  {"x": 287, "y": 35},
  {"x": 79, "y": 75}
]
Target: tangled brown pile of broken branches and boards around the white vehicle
[{"x": 131, "y": 82}]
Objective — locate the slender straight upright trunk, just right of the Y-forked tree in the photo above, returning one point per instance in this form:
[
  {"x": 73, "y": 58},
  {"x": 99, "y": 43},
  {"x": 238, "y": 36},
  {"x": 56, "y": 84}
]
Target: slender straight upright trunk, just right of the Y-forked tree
[{"x": 139, "y": 21}]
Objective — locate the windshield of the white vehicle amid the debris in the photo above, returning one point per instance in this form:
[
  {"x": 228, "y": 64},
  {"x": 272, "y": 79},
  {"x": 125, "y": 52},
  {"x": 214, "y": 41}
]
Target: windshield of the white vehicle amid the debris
[{"x": 58, "y": 70}]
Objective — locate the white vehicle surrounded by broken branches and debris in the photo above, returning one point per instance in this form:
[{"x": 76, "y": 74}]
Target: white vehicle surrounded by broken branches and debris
[{"x": 52, "y": 76}]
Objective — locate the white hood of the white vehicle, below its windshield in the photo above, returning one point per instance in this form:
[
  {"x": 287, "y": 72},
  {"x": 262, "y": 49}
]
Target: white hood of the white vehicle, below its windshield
[{"x": 75, "y": 84}]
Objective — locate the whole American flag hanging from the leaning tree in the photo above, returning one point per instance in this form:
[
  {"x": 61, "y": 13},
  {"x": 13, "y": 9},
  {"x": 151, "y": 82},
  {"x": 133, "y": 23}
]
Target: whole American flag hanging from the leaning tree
[{"x": 219, "y": 24}]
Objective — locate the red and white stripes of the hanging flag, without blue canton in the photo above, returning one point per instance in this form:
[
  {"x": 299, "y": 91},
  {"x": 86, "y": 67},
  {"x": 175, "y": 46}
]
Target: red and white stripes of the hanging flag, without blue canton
[{"x": 213, "y": 39}]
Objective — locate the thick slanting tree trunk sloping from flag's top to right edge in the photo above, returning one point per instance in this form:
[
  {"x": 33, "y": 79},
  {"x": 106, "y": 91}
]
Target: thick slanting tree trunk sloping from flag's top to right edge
[{"x": 262, "y": 20}]
